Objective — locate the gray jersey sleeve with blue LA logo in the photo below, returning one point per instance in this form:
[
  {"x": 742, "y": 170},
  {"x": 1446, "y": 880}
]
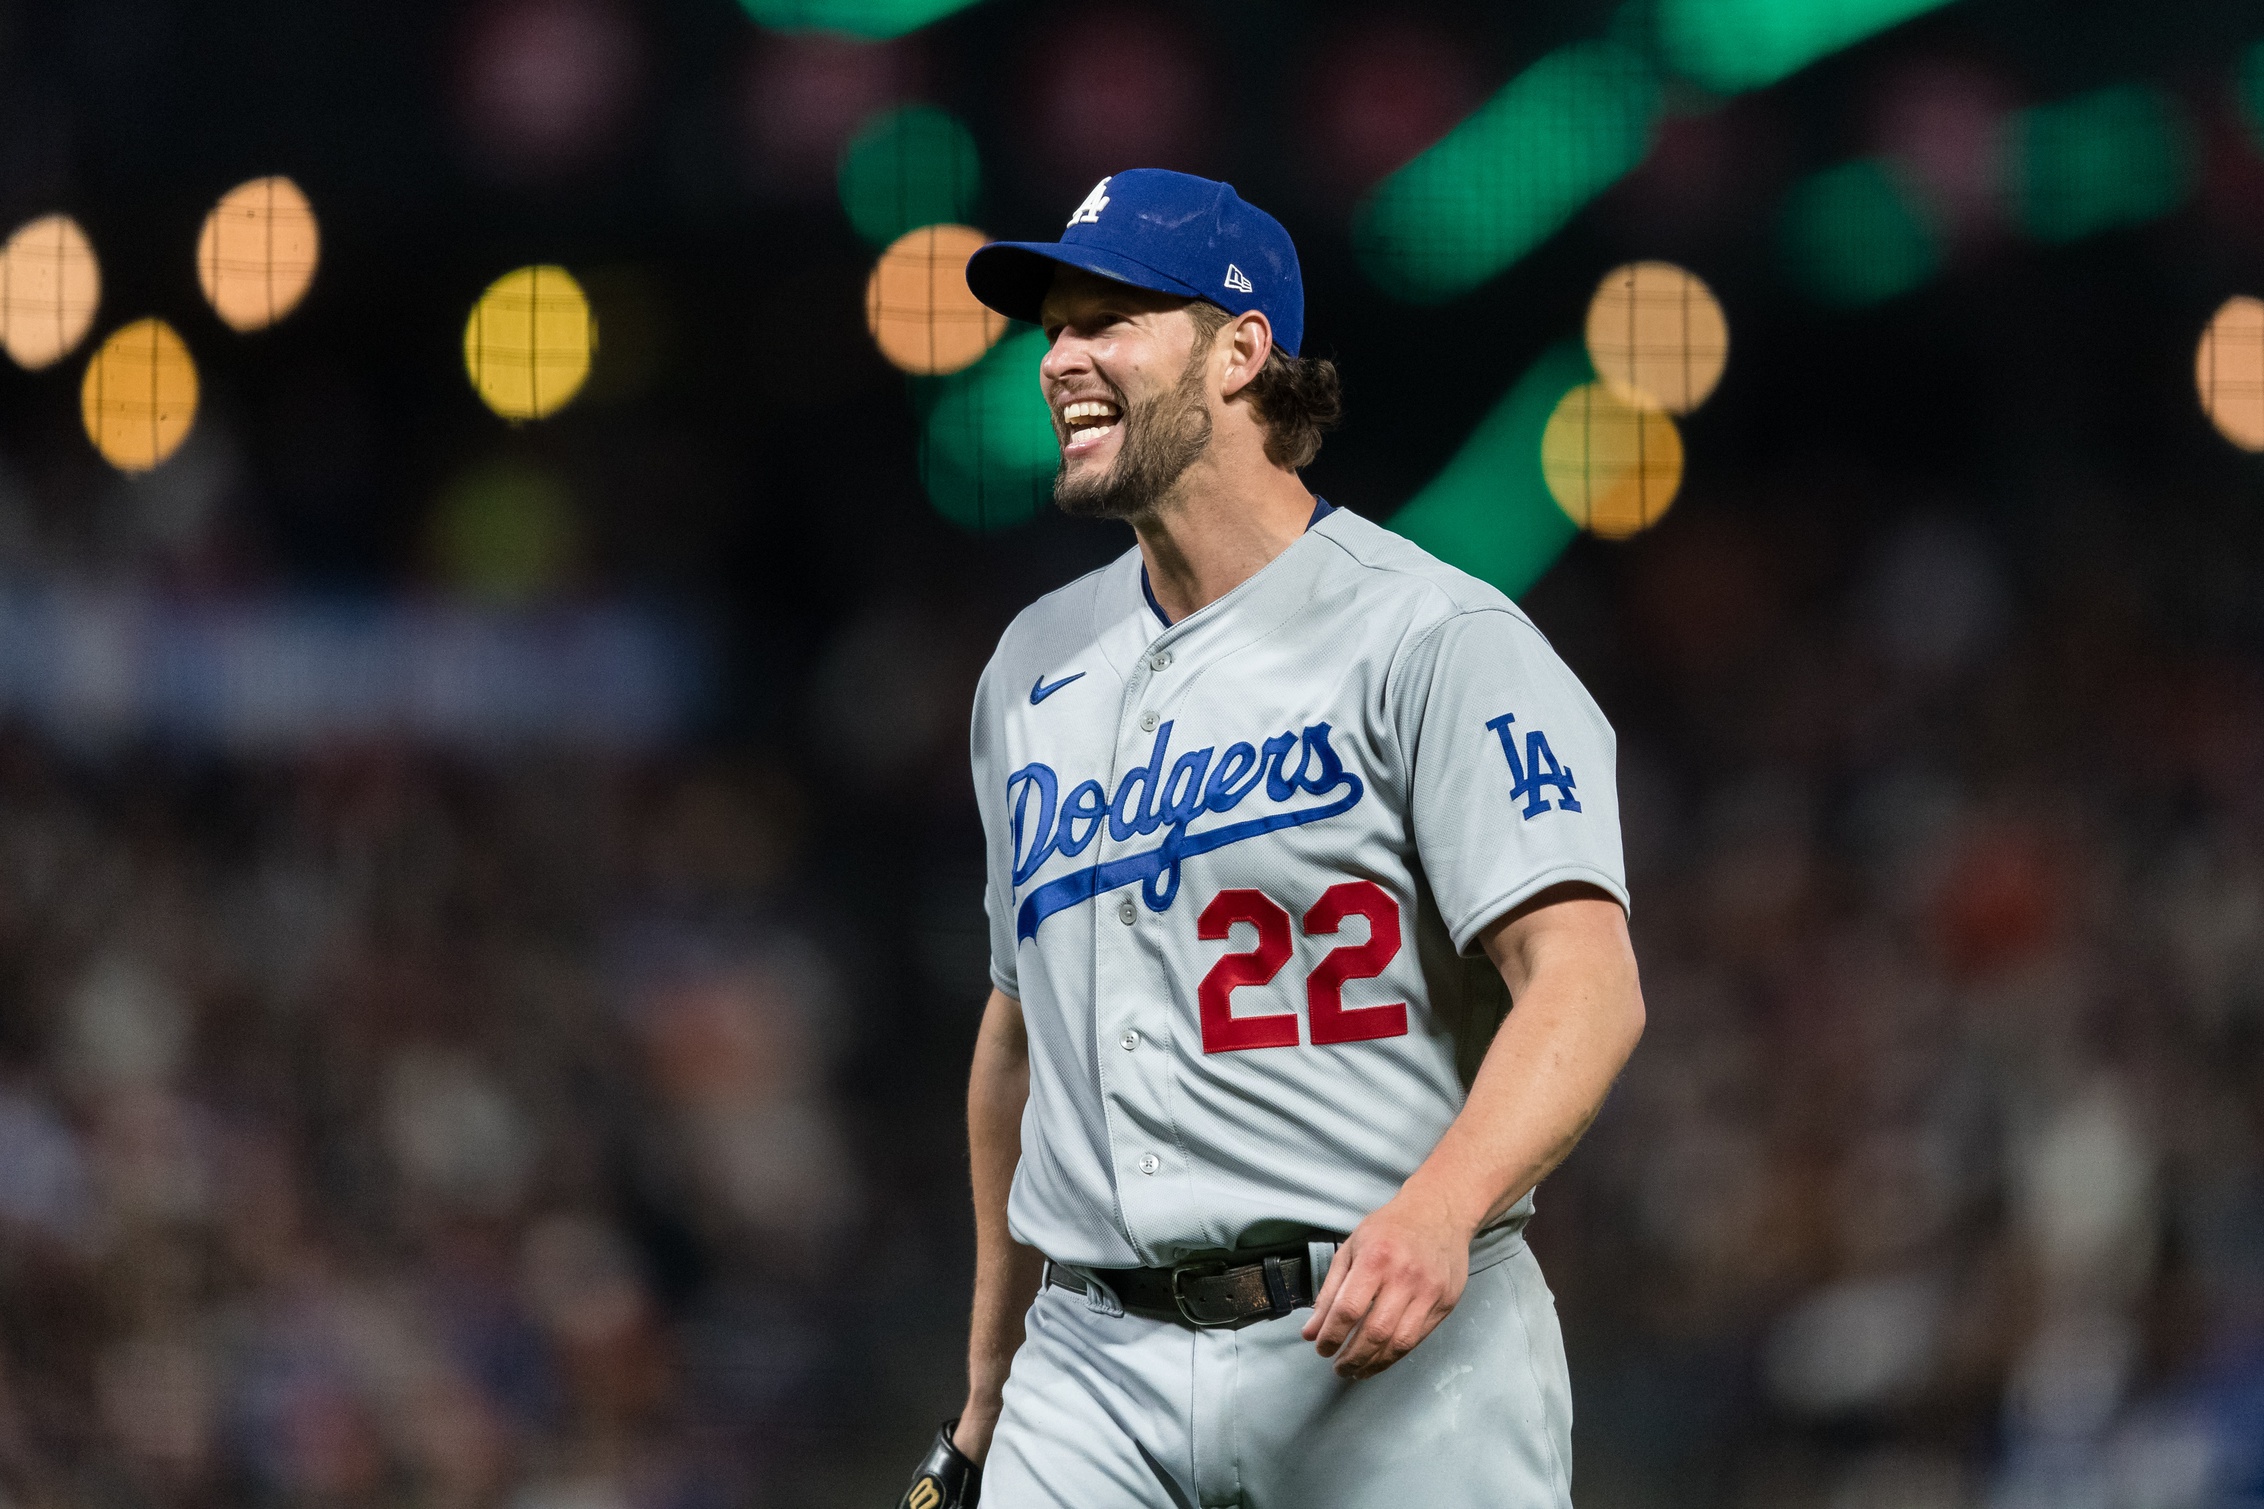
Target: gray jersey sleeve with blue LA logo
[{"x": 1509, "y": 770}]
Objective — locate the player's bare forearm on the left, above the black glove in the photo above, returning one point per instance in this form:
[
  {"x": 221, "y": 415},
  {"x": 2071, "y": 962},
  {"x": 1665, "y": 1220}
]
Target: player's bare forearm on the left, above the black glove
[{"x": 1006, "y": 1273}]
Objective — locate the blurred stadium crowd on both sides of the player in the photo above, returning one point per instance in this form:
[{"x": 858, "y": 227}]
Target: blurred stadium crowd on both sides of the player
[{"x": 581, "y": 1132}]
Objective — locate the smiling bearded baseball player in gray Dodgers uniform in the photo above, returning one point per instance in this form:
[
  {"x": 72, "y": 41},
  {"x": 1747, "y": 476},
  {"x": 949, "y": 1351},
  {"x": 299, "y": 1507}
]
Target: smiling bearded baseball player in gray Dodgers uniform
[{"x": 1310, "y": 940}]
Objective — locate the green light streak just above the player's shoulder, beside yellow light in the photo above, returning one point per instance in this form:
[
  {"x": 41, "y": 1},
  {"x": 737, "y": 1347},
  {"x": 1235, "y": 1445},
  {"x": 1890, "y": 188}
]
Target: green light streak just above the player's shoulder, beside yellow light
[{"x": 1491, "y": 512}]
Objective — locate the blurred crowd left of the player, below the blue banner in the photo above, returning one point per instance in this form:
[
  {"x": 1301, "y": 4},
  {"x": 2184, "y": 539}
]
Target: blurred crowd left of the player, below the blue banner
[{"x": 381, "y": 1130}]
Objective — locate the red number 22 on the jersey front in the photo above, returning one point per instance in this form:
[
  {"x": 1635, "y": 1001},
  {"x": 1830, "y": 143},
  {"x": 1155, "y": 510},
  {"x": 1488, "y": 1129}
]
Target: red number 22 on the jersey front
[{"x": 1323, "y": 990}]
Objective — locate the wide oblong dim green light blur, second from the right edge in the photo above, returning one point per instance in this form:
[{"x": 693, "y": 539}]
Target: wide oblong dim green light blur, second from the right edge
[{"x": 2116, "y": 157}]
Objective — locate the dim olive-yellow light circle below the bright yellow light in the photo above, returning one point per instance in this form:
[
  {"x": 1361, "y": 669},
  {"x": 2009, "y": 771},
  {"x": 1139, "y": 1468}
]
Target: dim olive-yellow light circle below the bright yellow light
[{"x": 506, "y": 533}]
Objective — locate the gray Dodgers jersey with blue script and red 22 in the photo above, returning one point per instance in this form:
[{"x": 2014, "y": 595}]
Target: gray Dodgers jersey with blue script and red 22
[{"x": 1237, "y": 870}]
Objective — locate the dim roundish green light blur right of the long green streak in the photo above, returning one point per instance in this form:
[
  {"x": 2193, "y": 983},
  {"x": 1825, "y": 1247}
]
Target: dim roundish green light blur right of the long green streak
[{"x": 1855, "y": 234}]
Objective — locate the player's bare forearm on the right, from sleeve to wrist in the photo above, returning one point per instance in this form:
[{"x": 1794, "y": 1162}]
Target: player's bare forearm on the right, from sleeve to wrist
[{"x": 1550, "y": 1069}]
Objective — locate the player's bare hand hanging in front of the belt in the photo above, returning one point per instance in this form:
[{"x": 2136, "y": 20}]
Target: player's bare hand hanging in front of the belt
[{"x": 1391, "y": 1284}]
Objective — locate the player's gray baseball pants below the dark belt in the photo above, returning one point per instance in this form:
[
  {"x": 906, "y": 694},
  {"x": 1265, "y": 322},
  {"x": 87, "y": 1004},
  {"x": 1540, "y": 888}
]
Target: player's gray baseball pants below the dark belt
[{"x": 1110, "y": 1411}]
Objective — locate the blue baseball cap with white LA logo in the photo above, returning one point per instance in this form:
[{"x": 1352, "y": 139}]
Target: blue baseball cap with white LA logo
[{"x": 1167, "y": 232}]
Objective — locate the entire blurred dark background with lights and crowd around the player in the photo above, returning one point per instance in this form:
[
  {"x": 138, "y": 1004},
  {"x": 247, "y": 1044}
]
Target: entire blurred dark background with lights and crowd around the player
[{"x": 501, "y": 510}]
